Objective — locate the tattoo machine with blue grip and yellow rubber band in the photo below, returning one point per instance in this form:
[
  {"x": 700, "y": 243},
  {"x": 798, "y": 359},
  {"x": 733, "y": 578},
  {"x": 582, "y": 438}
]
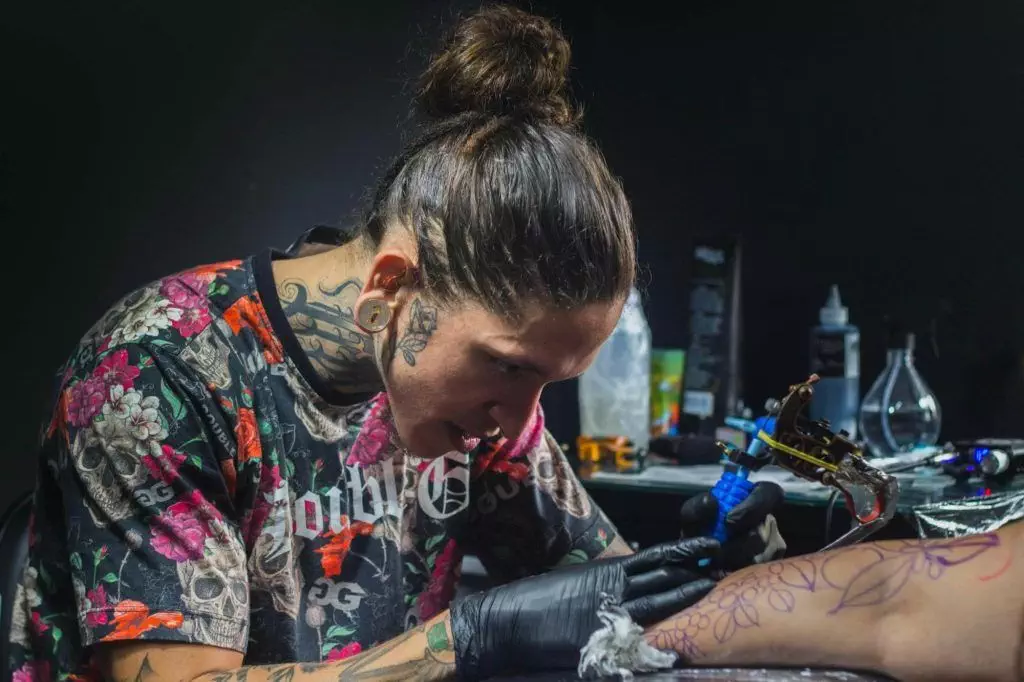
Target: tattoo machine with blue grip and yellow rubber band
[{"x": 808, "y": 449}]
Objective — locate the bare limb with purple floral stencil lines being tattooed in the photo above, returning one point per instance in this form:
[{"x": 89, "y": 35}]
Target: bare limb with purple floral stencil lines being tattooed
[{"x": 933, "y": 611}]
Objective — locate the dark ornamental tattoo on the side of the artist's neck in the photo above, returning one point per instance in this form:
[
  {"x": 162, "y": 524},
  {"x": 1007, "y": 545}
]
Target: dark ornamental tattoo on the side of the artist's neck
[{"x": 325, "y": 325}]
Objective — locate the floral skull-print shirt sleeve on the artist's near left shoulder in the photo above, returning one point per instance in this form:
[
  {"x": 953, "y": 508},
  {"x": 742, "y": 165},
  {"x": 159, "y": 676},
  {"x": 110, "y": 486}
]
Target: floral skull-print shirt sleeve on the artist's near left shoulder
[{"x": 153, "y": 549}]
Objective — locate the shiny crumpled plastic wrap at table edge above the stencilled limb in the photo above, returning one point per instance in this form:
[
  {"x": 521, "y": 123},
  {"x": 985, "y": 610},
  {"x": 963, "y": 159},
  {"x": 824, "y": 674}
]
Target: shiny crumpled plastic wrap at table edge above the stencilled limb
[{"x": 967, "y": 517}]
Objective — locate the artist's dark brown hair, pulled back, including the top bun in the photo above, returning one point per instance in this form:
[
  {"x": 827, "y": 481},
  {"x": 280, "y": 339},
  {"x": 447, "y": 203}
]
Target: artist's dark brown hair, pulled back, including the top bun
[{"x": 508, "y": 200}]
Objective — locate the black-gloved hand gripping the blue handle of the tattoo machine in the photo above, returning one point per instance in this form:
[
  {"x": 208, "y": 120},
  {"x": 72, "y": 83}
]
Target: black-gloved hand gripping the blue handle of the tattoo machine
[{"x": 753, "y": 533}]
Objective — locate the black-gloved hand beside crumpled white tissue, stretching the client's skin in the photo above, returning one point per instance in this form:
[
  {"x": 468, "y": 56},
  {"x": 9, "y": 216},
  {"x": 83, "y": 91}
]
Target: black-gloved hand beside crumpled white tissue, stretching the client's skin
[{"x": 541, "y": 623}]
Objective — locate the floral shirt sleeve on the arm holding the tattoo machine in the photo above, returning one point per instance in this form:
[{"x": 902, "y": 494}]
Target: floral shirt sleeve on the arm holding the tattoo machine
[{"x": 531, "y": 513}]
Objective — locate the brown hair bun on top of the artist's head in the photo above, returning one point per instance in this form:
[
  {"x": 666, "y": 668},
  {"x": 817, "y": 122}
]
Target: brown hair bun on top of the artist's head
[{"x": 500, "y": 61}]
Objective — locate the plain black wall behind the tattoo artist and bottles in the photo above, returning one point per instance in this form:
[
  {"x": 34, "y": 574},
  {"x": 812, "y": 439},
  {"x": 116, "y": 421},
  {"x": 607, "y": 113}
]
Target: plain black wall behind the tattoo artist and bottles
[{"x": 877, "y": 146}]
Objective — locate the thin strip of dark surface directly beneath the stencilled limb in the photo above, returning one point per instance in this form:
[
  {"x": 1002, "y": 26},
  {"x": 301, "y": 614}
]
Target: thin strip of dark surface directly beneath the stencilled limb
[{"x": 722, "y": 674}]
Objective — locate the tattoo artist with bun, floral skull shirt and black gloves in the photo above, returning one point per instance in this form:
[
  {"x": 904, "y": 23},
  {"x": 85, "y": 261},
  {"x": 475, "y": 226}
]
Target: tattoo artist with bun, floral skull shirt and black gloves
[{"x": 271, "y": 468}]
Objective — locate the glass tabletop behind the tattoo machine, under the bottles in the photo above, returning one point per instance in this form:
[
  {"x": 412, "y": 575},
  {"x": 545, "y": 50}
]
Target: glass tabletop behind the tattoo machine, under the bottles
[{"x": 923, "y": 487}]
